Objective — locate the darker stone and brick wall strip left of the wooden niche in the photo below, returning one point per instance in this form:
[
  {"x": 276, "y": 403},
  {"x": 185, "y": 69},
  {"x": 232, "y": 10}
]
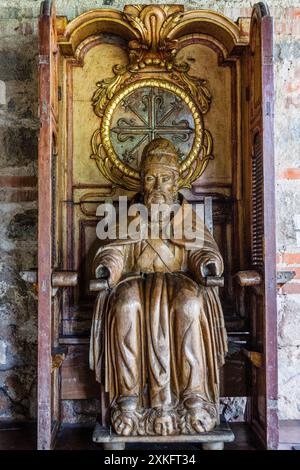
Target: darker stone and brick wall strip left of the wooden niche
[{"x": 18, "y": 211}]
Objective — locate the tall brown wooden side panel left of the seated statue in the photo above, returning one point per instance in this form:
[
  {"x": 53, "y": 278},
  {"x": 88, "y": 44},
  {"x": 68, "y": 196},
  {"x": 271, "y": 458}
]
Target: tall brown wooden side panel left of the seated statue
[{"x": 48, "y": 381}]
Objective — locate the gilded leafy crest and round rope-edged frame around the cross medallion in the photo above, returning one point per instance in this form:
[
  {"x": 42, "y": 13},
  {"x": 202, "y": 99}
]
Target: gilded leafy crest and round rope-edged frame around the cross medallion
[{"x": 152, "y": 50}]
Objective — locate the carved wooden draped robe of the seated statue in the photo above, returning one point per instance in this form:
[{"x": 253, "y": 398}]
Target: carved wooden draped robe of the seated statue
[{"x": 157, "y": 333}]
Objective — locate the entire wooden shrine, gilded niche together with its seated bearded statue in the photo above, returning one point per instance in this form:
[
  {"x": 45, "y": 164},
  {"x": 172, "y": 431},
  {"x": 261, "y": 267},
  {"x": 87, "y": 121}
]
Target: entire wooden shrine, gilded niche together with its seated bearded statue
[{"x": 110, "y": 83}]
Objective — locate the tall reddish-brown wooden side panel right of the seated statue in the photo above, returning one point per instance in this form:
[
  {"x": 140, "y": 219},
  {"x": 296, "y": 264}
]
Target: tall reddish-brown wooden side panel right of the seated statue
[{"x": 262, "y": 214}]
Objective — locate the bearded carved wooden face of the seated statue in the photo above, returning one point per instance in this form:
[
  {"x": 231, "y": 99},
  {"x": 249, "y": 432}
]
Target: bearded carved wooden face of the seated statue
[{"x": 159, "y": 185}]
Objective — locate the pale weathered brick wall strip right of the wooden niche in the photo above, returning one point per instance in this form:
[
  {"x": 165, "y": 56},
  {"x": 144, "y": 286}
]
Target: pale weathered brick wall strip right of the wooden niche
[{"x": 287, "y": 139}]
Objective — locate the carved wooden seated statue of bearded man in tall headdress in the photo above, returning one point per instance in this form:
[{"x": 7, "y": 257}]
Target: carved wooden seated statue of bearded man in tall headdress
[{"x": 158, "y": 336}]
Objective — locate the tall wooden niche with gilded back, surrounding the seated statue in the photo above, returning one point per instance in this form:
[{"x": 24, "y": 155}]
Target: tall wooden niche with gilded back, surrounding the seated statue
[{"x": 226, "y": 67}]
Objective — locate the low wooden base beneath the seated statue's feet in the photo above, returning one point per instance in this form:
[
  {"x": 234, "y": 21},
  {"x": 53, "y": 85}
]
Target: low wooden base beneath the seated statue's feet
[{"x": 213, "y": 440}]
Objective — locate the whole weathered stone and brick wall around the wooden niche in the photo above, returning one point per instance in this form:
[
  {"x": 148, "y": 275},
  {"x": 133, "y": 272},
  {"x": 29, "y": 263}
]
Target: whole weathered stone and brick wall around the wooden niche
[{"x": 18, "y": 194}]
